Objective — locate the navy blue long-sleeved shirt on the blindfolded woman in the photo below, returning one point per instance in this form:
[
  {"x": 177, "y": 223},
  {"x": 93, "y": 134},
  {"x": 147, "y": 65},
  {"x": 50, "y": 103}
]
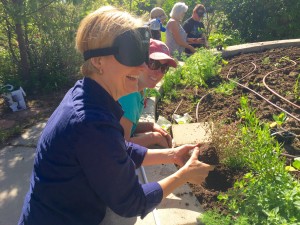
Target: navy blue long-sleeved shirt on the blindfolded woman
[{"x": 83, "y": 164}]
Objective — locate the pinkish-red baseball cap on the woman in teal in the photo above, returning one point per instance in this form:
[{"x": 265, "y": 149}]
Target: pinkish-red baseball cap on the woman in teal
[{"x": 158, "y": 50}]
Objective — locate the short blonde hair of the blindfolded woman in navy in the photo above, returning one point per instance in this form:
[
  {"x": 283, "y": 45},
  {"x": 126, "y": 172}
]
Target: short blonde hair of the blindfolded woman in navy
[{"x": 99, "y": 30}]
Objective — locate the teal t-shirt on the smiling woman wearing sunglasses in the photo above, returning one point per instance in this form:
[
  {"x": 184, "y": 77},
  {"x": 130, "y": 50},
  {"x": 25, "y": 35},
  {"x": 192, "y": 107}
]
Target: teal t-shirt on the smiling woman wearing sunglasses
[{"x": 132, "y": 106}]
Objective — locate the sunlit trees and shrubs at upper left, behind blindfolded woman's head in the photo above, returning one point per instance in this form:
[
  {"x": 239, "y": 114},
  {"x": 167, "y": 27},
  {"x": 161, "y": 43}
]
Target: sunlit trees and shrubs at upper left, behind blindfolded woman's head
[{"x": 48, "y": 30}]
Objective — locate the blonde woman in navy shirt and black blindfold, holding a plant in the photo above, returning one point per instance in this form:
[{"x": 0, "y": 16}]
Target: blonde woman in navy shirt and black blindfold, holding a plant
[{"x": 82, "y": 163}]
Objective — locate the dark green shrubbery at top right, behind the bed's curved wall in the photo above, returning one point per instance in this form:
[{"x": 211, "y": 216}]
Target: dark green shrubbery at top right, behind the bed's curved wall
[{"x": 261, "y": 20}]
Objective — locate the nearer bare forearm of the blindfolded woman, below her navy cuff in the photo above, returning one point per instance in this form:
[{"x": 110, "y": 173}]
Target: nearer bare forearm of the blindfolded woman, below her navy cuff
[{"x": 170, "y": 183}]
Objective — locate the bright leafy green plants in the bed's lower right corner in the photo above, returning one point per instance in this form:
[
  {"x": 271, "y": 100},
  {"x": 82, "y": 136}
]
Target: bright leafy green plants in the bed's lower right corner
[{"x": 267, "y": 194}]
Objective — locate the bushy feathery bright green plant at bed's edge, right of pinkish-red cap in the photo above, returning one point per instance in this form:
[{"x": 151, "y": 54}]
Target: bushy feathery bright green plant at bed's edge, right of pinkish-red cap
[{"x": 201, "y": 67}]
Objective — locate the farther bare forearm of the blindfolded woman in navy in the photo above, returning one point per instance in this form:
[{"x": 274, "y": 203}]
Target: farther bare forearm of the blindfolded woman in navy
[{"x": 159, "y": 156}]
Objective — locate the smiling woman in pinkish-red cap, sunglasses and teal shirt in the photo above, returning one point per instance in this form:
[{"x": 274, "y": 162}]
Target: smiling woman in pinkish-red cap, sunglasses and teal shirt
[{"x": 146, "y": 133}]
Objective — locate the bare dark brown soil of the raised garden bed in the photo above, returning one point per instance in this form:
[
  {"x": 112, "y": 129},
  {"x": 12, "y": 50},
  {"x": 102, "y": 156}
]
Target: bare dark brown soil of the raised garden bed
[{"x": 250, "y": 69}]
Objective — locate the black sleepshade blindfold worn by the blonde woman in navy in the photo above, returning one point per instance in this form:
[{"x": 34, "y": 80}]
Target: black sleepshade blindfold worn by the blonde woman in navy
[{"x": 130, "y": 48}]
